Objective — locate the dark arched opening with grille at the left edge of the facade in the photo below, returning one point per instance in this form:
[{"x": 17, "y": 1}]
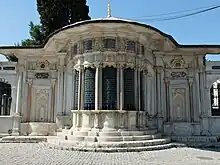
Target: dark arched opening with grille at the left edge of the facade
[{"x": 5, "y": 97}]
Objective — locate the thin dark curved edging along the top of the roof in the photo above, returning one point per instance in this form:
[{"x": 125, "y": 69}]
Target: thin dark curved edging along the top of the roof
[{"x": 112, "y": 21}]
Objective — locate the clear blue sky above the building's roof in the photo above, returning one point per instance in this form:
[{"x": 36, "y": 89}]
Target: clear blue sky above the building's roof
[{"x": 15, "y": 16}]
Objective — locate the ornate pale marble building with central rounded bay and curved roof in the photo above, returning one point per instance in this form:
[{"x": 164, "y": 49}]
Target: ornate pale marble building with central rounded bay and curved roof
[{"x": 111, "y": 75}]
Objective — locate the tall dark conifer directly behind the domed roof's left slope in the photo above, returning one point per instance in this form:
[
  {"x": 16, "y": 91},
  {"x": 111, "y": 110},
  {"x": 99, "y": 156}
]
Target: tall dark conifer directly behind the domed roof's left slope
[{"x": 55, "y": 14}]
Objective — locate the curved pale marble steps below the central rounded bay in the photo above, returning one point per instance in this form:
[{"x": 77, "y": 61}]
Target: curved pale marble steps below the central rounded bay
[{"x": 110, "y": 140}]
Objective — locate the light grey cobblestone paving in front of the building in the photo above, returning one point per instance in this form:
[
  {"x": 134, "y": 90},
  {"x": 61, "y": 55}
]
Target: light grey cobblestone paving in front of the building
[{"x": 36, "y": 154}]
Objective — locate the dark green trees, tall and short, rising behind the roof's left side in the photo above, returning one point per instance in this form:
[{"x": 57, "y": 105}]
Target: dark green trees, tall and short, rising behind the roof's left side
[{"x": 54, "y": 14}]
